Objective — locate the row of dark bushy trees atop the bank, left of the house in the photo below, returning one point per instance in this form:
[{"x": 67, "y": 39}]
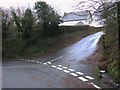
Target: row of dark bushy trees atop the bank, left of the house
[{"x": 43, "y": 16}]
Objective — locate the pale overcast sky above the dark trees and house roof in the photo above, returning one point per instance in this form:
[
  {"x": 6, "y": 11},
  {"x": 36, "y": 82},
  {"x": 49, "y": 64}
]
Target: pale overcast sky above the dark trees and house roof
[{"x": 60, "y": 5}]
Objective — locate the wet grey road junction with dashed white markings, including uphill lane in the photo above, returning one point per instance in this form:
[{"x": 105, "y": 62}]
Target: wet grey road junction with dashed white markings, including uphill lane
[{"x": 61, "y": 69}]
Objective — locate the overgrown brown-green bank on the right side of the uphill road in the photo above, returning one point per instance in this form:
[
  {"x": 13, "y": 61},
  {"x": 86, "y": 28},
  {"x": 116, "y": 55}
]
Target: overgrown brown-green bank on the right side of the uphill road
[{"x": 109, "y": 53}]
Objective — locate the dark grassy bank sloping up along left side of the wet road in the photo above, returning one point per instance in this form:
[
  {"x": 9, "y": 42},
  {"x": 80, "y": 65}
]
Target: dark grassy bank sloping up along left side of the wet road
[{"x": 16, "y": 47}]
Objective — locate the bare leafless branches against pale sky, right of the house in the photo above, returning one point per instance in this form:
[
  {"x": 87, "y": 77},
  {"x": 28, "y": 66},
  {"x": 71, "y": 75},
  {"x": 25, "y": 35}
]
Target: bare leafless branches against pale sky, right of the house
[{"x": 97, "y": 8}]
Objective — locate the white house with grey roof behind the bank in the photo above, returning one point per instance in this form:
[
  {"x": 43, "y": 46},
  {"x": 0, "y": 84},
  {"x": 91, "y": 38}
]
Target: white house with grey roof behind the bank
[{"x": 76, "y": 18}]
